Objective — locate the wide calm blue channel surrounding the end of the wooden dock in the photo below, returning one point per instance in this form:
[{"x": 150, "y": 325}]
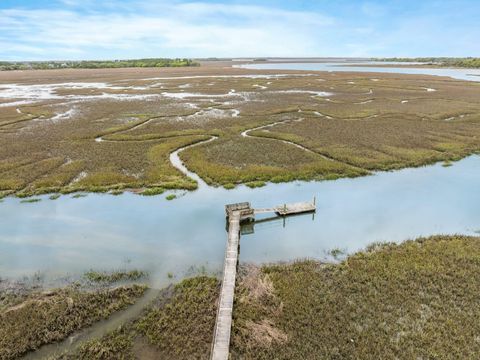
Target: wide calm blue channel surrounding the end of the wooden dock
[{"x": 69, "y": 236}]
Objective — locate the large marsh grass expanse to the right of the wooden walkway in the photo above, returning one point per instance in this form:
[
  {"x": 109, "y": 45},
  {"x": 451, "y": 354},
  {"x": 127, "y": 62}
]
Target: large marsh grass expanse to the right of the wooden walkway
[{"x": 413, "y": 300}]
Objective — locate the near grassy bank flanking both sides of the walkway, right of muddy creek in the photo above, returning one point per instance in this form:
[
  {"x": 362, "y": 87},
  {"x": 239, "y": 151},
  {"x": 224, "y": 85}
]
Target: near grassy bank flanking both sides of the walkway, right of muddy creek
[{"x": 416, "y": 300}]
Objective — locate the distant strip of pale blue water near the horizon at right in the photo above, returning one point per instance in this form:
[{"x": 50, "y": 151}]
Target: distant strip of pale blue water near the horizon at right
[{"x": 461, "y": 74}]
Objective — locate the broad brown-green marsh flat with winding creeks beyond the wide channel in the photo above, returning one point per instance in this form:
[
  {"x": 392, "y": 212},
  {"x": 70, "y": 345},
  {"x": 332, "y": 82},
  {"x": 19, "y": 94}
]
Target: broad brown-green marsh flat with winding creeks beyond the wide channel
[{"x": 111, "y": 129}]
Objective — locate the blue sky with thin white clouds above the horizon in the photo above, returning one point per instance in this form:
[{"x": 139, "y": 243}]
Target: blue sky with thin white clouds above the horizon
[{"x": 109, "y": 29}]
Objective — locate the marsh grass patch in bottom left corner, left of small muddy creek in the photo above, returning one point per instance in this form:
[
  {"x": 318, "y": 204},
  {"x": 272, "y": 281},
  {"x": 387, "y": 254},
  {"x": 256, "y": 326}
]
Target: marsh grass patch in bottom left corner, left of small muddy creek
[{"x": 46, "y": 317}]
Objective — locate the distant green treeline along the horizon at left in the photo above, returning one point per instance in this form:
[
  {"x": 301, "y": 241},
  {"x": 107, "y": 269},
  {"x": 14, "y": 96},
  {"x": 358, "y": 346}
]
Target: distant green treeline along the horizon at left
[{"x": 95, "y": 64}]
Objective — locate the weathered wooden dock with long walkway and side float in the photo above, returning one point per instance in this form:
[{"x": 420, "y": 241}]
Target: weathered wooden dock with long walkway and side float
[{"x": 237, "y": 213}]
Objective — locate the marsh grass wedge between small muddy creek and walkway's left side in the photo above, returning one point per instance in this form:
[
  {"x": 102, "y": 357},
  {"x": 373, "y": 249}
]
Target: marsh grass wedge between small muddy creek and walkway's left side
[{"x": 177, "y": 325}]
